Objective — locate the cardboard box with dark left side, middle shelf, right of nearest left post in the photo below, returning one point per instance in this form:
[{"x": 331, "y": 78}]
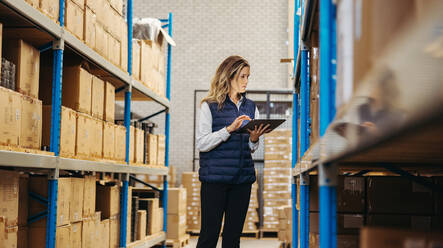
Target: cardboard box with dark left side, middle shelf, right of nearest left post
[{"x": 77, "y": 89}]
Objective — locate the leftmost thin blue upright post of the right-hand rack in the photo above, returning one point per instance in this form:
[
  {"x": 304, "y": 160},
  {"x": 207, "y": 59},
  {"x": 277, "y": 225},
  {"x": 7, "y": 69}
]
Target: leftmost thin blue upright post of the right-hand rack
[{"x": 294, "y": 162}]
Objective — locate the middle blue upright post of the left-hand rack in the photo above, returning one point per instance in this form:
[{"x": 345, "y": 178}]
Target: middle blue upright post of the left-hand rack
[{"x": 127, "y": 116}]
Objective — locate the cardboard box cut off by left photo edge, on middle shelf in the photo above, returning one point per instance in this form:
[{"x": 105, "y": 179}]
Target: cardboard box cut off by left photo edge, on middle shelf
[{"x": 10, "y": 119}]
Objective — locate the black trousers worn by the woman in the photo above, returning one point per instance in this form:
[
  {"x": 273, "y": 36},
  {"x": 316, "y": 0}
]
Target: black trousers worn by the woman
[{"x": 217, "y": 200}]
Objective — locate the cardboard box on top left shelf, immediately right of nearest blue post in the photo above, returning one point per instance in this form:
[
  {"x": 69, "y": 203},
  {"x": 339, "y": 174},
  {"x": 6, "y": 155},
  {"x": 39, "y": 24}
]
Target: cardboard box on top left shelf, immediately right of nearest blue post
[{"x": 74, "y": 19}]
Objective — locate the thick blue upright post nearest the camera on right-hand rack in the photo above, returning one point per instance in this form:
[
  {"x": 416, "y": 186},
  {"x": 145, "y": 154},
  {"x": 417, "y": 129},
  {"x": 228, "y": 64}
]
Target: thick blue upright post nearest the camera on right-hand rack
[{"x": 327, "y": 172}]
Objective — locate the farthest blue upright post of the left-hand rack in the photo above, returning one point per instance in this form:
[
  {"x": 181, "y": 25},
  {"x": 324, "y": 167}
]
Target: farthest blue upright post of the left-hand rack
[{"x": 167, "y": 127}]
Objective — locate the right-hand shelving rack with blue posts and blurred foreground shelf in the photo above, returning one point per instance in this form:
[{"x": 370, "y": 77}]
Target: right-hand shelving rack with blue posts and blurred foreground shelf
[{"x": 396, "y": 147}]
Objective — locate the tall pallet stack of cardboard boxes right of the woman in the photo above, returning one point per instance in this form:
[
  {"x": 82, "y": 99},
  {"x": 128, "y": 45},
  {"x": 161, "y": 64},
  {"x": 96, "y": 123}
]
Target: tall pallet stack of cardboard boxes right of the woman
[{"x": 277, "y": 176}]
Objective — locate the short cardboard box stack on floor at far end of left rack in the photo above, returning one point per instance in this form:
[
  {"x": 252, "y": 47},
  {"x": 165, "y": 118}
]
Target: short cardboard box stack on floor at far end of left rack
[{"x": 176, "y": 213}]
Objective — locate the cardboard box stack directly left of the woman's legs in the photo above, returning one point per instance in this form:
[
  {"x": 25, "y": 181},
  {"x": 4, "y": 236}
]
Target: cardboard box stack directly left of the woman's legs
[{"x": 192, "y": 184}]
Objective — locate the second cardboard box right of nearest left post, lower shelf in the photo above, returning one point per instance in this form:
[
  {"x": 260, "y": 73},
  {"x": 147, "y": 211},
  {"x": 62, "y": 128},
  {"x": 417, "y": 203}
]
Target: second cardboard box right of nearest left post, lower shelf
[{"x": 76, "y": 201}]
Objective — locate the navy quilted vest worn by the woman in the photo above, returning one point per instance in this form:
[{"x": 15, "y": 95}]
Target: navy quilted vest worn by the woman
[{"x": 231, "y": 161}]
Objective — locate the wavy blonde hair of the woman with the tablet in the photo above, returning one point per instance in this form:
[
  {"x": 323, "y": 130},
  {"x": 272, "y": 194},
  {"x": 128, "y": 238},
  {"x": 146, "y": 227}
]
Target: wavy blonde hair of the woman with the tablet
[{"x": 221, "y": 82}]
